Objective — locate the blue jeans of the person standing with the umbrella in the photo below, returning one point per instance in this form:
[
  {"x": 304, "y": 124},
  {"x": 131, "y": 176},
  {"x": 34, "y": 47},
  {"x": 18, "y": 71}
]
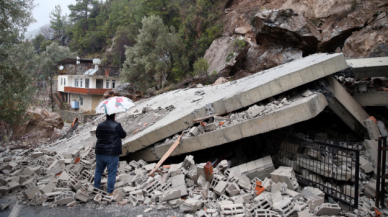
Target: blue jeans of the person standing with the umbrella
[{"x": 111, "y": 162}]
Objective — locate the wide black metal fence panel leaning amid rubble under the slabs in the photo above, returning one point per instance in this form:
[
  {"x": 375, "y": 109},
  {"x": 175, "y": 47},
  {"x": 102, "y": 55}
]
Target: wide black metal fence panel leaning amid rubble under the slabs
[{"x": 330, "y": 167}]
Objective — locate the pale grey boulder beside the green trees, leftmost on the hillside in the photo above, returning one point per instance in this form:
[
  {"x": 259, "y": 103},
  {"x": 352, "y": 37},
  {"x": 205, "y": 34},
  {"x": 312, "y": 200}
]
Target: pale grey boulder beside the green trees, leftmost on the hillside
[{"x": 224, "y": 53}]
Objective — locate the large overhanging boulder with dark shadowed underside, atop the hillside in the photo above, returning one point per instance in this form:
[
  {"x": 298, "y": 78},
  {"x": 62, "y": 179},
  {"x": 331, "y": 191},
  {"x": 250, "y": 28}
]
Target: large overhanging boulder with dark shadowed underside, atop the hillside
[{"x": 286, "y": 28}]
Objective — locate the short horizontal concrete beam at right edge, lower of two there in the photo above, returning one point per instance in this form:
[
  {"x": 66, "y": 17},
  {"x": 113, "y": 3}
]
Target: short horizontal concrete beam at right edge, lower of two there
[{"x": 372, "y": 99}]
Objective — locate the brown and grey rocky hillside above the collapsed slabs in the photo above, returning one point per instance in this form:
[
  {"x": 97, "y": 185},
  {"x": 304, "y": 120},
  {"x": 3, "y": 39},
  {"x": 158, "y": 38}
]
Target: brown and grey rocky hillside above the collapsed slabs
[{"x": 277, "y": 32}]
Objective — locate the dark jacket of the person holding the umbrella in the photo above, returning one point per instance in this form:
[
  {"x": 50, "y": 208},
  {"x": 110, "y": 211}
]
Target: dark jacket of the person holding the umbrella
[{"x": 109, "y": 134}]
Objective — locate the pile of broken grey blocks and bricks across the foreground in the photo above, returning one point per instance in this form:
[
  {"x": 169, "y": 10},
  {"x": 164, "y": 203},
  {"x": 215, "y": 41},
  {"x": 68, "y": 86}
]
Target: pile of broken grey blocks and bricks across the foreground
[{"x": 251, "y": 189}]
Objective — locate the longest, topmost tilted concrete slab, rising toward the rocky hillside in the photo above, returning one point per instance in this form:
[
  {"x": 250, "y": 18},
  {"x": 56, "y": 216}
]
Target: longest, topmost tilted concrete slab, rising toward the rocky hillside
[{"x": 227, "y": 97}]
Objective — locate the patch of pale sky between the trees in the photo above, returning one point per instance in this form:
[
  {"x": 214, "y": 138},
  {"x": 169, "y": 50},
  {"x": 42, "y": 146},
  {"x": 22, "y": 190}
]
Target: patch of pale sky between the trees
[{"x": 43, "y": 9}]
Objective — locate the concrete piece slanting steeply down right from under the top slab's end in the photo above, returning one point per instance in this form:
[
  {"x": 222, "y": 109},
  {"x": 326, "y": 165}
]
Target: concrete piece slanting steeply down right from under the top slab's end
[{"x": 347, "y": 109}]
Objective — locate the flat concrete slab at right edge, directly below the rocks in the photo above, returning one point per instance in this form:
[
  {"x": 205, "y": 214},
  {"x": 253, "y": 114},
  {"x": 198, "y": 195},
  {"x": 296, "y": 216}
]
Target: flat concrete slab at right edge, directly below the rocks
[{"x": 369, "y": 67}]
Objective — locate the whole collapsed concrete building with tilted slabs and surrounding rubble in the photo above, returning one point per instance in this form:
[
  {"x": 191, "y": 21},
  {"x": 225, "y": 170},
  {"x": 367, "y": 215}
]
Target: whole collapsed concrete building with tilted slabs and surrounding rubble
[{"x": 296, "y": 179}]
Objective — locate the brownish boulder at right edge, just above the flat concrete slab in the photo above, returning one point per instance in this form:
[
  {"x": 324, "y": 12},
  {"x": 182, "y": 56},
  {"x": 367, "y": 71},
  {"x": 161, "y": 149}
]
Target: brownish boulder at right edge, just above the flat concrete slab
[{"x": 370, "y": 41}]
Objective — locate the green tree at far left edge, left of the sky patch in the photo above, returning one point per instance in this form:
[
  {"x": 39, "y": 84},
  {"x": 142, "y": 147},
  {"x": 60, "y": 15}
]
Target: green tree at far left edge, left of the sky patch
[{"x": 17, "y": 60}]
